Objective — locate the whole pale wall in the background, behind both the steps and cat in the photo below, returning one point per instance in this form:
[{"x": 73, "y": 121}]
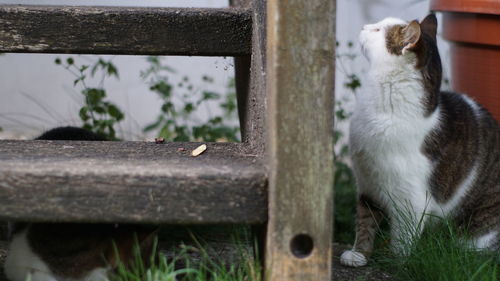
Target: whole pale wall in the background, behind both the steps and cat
[{"x": 36, "y": 76}]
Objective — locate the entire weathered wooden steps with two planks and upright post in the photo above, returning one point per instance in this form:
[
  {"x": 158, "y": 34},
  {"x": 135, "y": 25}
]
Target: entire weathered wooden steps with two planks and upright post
[{"x": 280, "y": 176}]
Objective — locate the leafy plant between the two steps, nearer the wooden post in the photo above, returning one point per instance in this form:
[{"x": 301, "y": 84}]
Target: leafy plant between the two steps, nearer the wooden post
[{"x": 181, "y": 103}]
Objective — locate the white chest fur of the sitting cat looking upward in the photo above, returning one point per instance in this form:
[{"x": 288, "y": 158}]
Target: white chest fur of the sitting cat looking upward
[{"x": 387, "y": 133}]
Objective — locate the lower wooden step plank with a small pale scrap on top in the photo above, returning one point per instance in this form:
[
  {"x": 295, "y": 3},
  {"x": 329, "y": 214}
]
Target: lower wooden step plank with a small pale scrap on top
[{"x": 139, "y": 182}]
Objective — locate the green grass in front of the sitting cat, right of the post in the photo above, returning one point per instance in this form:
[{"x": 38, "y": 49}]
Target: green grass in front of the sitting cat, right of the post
[{"x": 440, "y": 255}]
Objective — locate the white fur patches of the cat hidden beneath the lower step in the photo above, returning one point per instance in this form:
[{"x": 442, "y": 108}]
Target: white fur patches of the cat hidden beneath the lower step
[{"x": 23, "y": 264}]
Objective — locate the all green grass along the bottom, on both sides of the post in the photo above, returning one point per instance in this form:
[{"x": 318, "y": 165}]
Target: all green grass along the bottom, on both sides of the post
[{"x": 439, "y": 255}]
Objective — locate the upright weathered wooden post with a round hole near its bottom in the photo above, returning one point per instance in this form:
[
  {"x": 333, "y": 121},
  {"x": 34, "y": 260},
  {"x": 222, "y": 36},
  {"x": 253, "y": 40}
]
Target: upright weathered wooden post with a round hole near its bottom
[{"x": 300, "y": 84}]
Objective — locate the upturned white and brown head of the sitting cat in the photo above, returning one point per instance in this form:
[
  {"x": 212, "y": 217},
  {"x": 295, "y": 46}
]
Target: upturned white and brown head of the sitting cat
[{"x": 395, "y": 46}]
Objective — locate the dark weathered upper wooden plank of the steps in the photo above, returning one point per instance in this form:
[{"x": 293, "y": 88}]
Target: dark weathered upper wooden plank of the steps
[{"x": 125, "y": 30}]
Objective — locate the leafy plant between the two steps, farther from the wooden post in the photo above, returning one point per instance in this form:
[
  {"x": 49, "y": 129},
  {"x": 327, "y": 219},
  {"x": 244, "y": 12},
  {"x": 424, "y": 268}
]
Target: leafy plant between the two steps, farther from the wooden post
[{"x": 97, "y": 114}]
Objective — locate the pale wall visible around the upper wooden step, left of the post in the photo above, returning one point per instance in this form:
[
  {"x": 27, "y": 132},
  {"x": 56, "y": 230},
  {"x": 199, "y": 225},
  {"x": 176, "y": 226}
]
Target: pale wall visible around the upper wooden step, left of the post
[{"x": 24, "y": 77}]
